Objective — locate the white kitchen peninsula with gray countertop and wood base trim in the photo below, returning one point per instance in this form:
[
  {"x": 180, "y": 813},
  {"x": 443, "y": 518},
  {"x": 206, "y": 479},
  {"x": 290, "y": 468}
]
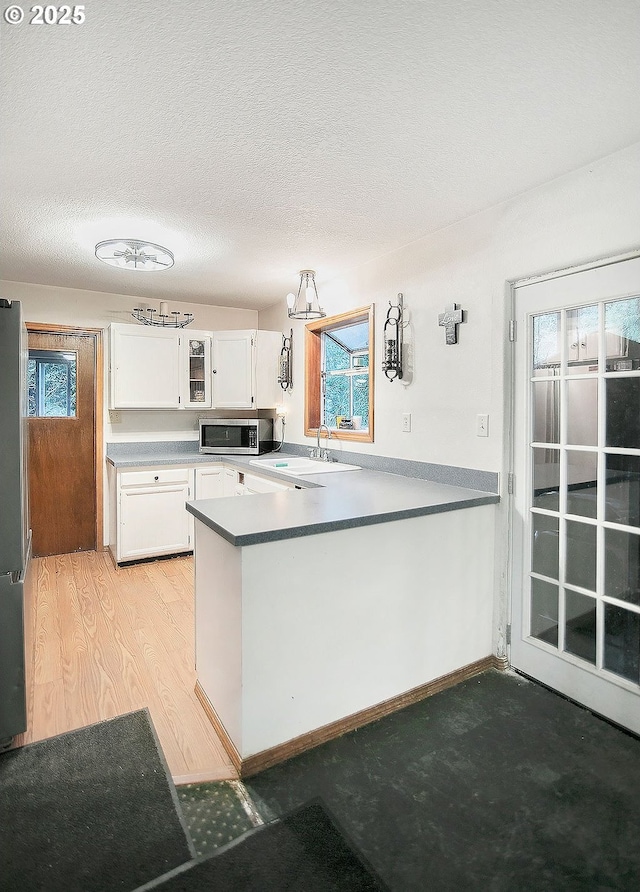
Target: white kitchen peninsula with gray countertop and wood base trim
[{"x": 323, "y": 607}]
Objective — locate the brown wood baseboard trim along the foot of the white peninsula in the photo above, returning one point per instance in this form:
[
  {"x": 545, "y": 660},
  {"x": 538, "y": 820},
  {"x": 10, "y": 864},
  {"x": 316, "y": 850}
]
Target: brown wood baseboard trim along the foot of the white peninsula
[{"x": 273, "y": 756}]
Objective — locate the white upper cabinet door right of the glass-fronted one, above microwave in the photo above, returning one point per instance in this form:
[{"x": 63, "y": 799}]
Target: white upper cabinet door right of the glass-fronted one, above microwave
[{"x": 233, "y": 369}]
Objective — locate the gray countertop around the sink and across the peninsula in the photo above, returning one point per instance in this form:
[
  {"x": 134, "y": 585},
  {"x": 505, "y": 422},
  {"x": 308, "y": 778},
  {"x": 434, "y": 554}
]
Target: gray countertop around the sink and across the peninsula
[{"x": 323, "y": 503}]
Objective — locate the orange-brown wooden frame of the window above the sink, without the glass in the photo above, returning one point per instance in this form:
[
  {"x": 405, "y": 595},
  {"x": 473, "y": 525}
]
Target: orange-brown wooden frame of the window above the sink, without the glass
[{"x": 313, "y": 372}]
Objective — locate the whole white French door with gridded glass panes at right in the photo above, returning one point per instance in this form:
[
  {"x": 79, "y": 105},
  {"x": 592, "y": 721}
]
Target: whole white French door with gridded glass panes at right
[{"x": 575, "y": 603}]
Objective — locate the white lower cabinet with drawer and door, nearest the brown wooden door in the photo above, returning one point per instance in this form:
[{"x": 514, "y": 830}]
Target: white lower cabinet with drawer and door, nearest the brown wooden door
[{"x": 152, "y": 519}]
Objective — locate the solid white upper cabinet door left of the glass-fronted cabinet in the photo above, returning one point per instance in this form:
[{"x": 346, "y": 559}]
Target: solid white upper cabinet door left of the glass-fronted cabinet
[{"x": 145, "y": 368}]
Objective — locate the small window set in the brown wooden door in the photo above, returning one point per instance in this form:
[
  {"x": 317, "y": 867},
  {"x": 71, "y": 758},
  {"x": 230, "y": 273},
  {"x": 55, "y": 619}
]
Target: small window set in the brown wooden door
[{"x": 51, "y": 376}]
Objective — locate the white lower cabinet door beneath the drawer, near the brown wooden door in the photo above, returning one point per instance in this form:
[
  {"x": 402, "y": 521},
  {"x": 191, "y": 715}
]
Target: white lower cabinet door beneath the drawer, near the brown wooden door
[{"x": 153, "y": 520}]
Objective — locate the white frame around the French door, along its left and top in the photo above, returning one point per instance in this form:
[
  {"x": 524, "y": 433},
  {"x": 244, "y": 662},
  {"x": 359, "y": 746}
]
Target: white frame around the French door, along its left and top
[{"x": 510, "y": 416}]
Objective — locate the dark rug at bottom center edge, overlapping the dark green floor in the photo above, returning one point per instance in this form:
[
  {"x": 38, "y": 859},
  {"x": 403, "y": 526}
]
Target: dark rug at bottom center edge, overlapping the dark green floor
[{"x": 302, "y": 852}]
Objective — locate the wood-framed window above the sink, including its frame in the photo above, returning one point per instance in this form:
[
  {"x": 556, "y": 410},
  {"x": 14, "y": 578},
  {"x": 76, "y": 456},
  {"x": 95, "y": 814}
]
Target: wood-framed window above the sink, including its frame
[{"x": 339, "y": 375}]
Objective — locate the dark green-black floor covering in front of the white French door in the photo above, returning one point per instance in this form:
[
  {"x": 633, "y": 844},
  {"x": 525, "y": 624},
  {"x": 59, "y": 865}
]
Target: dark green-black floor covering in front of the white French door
[{"x": 496, "y": 784}]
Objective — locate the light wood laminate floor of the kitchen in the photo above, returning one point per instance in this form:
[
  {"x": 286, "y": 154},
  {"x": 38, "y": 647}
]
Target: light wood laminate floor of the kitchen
[{"x": 103, "y": 641}]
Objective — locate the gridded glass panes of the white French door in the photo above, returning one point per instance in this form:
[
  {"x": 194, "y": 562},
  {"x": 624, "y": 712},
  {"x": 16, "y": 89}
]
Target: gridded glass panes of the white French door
[{"x": 584, "y": 487}]
